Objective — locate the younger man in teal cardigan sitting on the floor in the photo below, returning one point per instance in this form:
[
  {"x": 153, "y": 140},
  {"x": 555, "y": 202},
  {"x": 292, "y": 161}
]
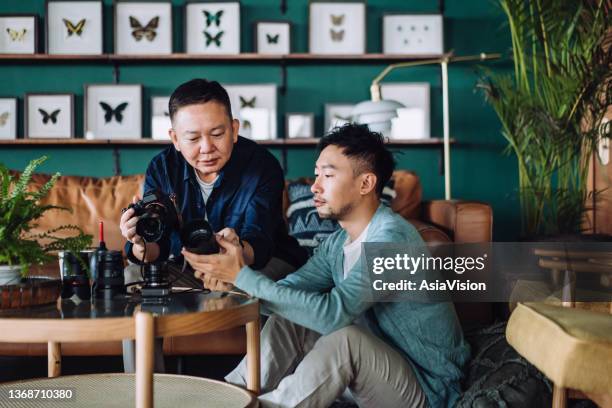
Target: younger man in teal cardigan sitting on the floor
[{"x": 322, "y": 337}]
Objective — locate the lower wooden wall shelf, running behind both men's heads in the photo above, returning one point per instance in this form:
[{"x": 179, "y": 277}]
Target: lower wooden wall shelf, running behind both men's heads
[{"x": 150, "y": 142}]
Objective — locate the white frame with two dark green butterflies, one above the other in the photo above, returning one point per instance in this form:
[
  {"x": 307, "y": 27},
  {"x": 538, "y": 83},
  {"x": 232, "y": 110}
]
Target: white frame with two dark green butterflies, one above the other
[{"x": 212, "y": 27}]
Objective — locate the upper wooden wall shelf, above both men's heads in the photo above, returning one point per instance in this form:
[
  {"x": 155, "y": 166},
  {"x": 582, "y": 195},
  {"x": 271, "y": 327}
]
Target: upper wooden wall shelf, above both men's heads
[{"x": 244, "y": 57}]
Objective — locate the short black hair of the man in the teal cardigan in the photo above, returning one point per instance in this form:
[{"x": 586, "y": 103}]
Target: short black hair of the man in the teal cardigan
[{"x": 366, "y": 149}]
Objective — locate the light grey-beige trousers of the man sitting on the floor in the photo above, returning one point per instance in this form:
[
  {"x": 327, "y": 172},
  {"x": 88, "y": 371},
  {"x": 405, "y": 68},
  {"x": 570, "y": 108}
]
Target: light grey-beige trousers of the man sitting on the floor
[{"x": 301, "y": 368}]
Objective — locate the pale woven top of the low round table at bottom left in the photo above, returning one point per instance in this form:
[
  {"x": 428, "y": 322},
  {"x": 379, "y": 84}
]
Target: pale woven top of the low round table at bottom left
[{"x": 118, "y": 390}]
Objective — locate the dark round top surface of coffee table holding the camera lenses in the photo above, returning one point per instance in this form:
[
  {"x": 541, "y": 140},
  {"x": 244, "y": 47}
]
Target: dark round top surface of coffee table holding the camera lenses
[{"x": 179, "y": 302}]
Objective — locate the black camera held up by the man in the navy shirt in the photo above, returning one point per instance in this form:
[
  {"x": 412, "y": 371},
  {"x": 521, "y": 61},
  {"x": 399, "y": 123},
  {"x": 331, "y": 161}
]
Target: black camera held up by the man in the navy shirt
[{"x": 157, "y": 216}]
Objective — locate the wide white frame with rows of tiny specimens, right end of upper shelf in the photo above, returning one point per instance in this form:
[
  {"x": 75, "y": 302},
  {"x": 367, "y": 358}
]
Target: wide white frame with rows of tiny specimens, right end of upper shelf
[{"x": 414, "y": 34}]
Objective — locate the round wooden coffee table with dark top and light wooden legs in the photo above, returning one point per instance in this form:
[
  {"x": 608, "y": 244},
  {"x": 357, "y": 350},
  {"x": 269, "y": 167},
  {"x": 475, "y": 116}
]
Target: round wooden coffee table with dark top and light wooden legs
[{"x": 181, "y": 314}]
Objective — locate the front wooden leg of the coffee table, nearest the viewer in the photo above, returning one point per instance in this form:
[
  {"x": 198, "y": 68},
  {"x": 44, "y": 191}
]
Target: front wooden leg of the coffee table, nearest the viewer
[{"x": 144, "y": 360}]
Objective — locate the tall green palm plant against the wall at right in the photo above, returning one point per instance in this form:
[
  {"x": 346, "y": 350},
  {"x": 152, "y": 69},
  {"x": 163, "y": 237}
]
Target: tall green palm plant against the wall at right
[{"x": 551, "y": 108}]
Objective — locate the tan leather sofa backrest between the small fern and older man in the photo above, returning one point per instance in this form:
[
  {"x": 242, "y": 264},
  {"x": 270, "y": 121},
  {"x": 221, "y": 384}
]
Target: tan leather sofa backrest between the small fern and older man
[{"x": 91, "y": 200}]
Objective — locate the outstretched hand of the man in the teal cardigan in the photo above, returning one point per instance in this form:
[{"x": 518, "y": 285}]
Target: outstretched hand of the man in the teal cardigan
[{"x": 221, "y": 267}]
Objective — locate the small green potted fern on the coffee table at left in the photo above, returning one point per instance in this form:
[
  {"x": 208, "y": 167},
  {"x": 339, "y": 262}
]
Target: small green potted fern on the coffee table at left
[{"x": 20, "y": 208}]
